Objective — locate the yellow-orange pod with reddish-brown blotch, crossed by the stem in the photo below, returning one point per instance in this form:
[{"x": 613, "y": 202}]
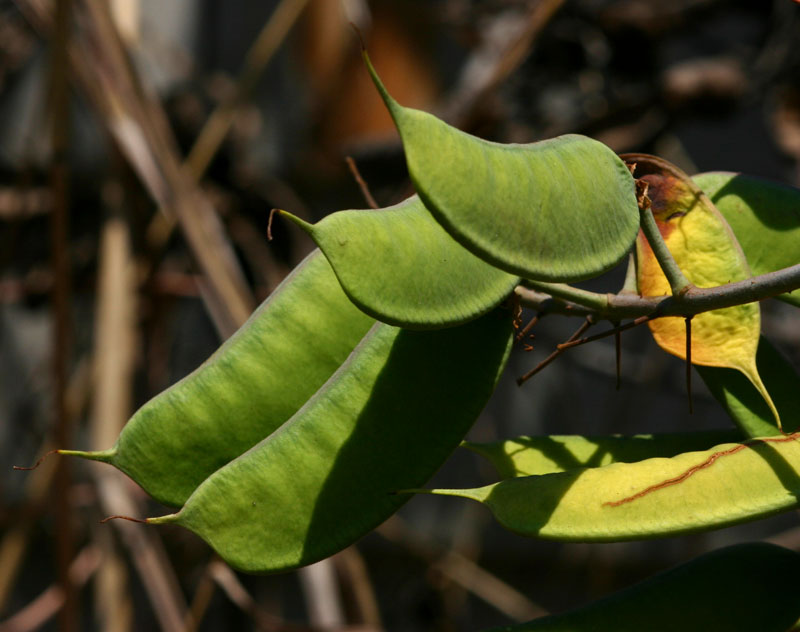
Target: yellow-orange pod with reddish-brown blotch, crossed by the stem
[{"x": 706, "y": 250}]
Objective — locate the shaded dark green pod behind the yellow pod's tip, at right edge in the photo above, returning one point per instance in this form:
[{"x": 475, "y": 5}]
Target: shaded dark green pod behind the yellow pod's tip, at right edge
[{"x": 743, "y": 401}]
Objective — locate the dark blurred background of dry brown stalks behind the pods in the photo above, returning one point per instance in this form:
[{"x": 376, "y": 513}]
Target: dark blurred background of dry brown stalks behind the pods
[{"x": 142, "y": 146}]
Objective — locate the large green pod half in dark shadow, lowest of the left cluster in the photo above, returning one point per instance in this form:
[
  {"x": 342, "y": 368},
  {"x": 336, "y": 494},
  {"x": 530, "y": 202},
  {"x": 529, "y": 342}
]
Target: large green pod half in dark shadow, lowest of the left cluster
[{"x": 385, "y": 420}]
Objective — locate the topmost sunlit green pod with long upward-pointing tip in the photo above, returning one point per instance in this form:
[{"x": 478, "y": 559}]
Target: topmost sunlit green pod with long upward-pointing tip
[{"x": 559, "y": 210}]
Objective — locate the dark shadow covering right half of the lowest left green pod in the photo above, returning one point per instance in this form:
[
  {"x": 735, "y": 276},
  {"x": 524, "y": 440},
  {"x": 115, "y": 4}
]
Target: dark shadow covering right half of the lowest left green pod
[{"x": 431, "y": 389}]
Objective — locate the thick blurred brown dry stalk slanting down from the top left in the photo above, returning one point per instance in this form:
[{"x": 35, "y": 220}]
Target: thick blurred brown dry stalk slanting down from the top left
[{"x": 138, "y": 124}]
